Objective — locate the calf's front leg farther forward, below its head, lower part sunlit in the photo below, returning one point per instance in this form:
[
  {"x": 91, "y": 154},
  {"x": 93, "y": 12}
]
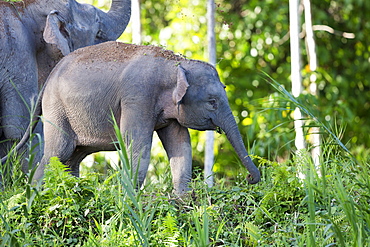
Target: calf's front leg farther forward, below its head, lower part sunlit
[{"x": 176, "y": 141}]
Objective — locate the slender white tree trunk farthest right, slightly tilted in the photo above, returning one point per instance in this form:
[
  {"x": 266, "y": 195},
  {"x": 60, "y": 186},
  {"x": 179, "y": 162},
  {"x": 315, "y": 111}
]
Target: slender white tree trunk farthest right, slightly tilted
[{"x": 312, "y": 58}]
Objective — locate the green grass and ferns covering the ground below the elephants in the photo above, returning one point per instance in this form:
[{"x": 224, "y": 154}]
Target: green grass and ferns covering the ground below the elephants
[{"x": 329, "y": 207}]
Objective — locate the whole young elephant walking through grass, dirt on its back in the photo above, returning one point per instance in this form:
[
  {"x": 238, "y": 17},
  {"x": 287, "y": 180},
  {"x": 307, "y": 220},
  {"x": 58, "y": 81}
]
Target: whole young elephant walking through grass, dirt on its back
[{"x": 147, "y": 89}]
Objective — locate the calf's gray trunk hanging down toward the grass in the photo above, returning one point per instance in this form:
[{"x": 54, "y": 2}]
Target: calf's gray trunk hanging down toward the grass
[{"x": 228, "y": 125}]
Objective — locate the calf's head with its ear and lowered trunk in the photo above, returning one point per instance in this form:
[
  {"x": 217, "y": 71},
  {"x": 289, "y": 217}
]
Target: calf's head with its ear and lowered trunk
[{"x": 203, "y": 105}]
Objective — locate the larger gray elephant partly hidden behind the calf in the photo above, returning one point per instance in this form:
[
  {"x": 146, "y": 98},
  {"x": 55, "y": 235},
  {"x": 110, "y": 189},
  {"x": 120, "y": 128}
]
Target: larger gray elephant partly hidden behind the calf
[{"x": 34, "y": 36}]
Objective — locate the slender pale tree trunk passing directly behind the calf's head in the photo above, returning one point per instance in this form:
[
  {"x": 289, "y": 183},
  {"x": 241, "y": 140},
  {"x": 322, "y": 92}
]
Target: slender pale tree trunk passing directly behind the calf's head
[{"x": 209, "y": 154}]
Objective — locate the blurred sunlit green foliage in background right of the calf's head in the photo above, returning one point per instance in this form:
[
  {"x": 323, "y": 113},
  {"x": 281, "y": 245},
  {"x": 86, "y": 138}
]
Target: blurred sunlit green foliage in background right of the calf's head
[{"x": 255, "y": 40}]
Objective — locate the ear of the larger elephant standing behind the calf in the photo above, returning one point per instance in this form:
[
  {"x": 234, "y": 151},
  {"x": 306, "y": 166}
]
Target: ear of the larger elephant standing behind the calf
[{"x": 55, "y": 33}]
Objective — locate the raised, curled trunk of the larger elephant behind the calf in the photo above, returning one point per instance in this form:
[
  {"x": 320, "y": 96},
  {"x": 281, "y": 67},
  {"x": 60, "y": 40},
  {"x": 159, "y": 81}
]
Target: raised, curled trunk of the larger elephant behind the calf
[{"x": 118, "y": 17}]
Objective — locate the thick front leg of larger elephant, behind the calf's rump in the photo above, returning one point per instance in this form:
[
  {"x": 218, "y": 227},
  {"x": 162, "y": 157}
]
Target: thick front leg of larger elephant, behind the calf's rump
[{"x": 18, "y": 96}]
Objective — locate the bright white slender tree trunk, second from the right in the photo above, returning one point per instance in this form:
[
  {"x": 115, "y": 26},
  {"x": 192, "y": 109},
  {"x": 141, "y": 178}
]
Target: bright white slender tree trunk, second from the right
[{"x": 296, "y": 70}]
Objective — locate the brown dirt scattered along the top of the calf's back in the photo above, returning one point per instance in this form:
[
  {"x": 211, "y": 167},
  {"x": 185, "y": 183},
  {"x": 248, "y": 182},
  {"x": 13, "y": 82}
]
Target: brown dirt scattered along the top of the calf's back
[{"x": 117, "y": 51}]
